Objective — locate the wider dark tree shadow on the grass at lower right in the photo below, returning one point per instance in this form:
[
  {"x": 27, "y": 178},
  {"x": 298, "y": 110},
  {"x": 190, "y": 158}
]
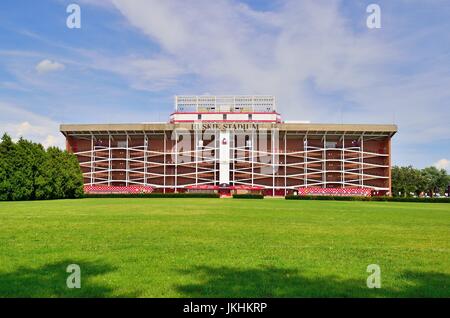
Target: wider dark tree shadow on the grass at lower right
[{"x": 274, "y": 282}]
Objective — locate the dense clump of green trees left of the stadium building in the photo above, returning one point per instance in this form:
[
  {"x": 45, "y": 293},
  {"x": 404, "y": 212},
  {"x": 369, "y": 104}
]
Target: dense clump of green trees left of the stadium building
[{"x": 29, "y": 172}]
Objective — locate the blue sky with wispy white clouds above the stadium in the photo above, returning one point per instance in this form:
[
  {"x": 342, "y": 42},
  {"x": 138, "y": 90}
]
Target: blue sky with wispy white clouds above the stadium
[{"x": 317, "y": 57}]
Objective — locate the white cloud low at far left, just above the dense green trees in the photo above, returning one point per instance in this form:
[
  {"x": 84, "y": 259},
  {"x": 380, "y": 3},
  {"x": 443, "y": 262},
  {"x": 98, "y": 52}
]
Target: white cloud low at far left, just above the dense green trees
[{"x": 19, "y": 122}]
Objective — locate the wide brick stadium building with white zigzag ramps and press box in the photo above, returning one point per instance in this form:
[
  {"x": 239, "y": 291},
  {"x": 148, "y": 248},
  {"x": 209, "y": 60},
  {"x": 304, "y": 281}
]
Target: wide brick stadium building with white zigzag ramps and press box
[{"x": 230, "y": 144}]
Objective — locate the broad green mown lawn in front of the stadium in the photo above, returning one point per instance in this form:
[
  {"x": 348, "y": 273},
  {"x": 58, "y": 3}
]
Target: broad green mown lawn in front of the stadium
[{"x": 223, "y": 248}]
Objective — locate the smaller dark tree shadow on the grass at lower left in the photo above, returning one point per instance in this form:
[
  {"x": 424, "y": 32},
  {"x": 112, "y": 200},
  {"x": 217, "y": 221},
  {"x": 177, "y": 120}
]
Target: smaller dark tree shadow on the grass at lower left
[{"x": 50, "y": 281}]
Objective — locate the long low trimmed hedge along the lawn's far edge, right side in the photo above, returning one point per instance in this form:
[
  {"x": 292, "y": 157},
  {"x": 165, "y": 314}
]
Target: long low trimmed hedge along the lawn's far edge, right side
[{"x": 390, "y": 199}]
